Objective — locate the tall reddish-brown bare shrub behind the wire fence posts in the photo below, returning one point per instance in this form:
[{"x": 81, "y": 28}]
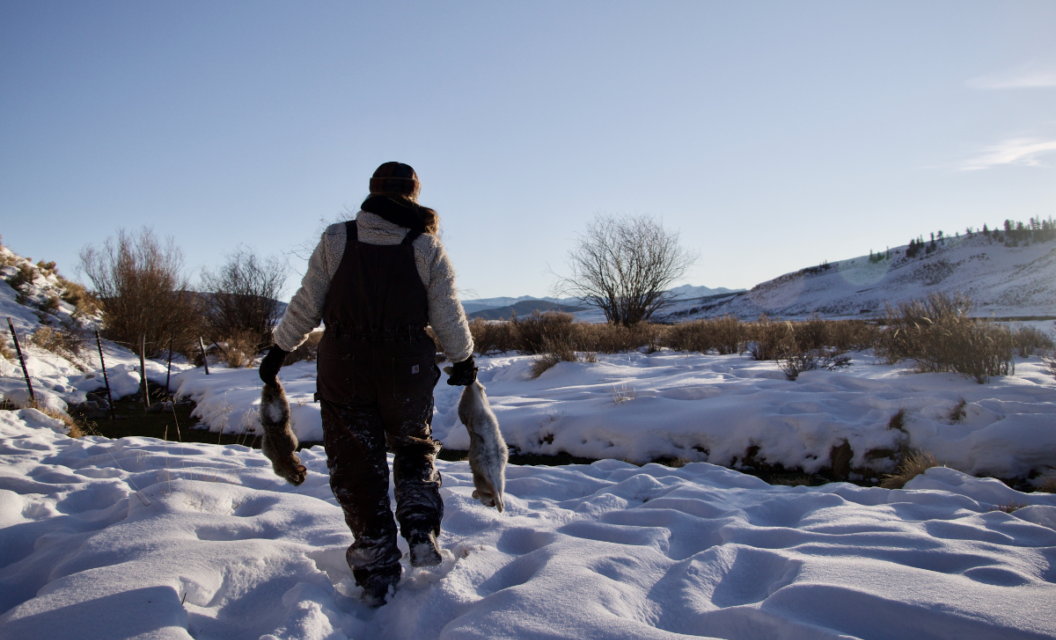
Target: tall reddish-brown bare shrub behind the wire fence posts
[{"x": 142, "y": 292}]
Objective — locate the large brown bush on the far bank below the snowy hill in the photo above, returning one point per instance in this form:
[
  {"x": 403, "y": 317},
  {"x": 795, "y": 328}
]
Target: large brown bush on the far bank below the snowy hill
[{"x": 939, "y": 336}]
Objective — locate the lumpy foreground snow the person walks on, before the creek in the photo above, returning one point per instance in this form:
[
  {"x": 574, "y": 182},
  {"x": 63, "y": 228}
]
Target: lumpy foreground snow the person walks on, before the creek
[{"x": 145, "y": 539}]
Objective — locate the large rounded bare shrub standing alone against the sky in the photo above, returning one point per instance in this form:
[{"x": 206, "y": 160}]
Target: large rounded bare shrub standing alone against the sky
[{"x": 625, "y": 266}]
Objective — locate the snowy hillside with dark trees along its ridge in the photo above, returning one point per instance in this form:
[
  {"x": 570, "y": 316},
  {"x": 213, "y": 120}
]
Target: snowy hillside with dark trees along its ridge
[{"x": 1004, "y": 281}]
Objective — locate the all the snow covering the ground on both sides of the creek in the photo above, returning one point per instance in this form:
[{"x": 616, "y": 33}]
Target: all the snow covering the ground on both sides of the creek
[{"x": 140, "y": 538}]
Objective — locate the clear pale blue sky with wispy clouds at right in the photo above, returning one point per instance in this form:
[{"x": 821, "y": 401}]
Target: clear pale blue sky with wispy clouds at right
[{"x": 772, "y": 136}]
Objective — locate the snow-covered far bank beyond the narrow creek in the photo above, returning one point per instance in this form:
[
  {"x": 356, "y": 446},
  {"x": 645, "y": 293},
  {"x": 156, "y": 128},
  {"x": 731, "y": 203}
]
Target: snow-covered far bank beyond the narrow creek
[{"x": 707, "y": 408}]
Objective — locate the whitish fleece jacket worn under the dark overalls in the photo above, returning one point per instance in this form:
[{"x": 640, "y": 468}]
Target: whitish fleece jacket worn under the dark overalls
[{"x": 446, "y": 314}]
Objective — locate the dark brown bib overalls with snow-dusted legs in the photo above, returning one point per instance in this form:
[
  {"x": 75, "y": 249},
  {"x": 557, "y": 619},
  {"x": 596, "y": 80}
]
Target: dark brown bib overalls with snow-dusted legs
[{"x": 376, "y": 377}]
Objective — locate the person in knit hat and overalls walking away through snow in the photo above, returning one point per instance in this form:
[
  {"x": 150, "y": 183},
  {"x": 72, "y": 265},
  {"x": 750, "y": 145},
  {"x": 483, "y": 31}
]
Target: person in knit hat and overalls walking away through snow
[{"x": 376, "y": 283}]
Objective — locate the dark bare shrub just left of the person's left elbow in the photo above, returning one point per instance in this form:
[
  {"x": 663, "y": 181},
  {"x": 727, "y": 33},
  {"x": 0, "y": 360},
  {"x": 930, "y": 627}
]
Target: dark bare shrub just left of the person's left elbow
[{"x": 243, "y": 296}]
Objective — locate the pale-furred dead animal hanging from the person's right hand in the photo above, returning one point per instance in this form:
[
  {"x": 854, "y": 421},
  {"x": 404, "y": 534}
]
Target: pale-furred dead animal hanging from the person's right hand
[{"x": 487, "y": 449}]
